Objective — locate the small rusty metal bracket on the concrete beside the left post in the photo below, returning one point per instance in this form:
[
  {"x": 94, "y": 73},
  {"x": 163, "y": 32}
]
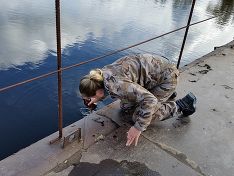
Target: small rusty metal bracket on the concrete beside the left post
[{"x": 70, "y": 138}]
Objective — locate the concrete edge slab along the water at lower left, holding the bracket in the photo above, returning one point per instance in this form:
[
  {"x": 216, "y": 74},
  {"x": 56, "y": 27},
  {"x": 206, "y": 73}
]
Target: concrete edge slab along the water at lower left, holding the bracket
[{"x": 41, "y": 157}]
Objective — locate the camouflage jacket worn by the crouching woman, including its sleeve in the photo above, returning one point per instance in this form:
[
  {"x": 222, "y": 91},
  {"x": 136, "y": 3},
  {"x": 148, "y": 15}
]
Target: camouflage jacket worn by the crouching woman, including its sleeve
[{"x": 130, "y": 79}]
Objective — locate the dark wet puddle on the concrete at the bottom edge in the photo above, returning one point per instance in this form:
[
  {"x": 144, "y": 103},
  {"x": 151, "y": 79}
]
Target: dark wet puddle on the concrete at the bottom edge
[{"x": 113, "y": 168}]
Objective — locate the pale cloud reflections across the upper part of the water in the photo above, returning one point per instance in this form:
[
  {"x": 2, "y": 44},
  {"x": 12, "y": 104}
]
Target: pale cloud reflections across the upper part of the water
[{"x": 27, "y": 29}]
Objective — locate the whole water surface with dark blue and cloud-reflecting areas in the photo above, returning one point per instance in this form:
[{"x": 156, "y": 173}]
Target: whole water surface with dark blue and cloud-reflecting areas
[{"x": 89, "y": 28}]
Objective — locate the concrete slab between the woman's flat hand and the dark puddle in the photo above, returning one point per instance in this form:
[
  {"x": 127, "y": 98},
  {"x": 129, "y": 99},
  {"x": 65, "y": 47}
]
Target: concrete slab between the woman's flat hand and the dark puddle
[{"x": 113, "y": 147}]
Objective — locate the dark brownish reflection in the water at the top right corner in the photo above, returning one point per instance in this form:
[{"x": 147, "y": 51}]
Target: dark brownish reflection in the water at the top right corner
[{"x": 224, "y": 10}]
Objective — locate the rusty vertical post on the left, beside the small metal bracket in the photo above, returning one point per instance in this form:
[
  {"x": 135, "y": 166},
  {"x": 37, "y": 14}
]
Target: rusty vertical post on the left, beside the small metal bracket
[{"x": 59, "y": 63}]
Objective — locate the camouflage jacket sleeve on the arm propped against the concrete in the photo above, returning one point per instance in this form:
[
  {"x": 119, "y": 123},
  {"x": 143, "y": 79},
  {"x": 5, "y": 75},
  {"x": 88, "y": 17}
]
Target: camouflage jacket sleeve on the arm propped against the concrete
[{"x": 146, "y": 102}]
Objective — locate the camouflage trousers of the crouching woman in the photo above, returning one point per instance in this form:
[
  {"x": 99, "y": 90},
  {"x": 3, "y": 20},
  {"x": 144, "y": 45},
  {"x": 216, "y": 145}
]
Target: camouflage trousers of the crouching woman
[{"x": 166, "y": 108}]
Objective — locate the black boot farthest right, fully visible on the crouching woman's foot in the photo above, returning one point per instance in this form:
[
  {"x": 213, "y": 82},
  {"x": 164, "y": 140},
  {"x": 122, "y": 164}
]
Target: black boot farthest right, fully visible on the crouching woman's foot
[{"x": 187, "y": 105}]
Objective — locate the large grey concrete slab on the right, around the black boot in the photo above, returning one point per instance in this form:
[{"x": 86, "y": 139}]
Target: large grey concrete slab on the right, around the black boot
[{"x": 208, "y": 137}]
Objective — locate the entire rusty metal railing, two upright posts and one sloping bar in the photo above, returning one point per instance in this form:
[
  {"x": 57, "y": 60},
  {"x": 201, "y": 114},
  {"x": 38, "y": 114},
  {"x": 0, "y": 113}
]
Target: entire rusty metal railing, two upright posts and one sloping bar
[{"x": 60, "y": 69}]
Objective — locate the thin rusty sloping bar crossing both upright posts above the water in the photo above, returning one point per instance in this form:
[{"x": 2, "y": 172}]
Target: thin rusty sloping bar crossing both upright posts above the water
[{"x": 96, "y": 58}]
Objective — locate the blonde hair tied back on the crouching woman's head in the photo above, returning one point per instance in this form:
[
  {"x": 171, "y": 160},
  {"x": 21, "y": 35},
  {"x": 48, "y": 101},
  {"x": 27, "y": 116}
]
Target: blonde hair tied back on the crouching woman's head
[{"x": 90, "y": 83}]
